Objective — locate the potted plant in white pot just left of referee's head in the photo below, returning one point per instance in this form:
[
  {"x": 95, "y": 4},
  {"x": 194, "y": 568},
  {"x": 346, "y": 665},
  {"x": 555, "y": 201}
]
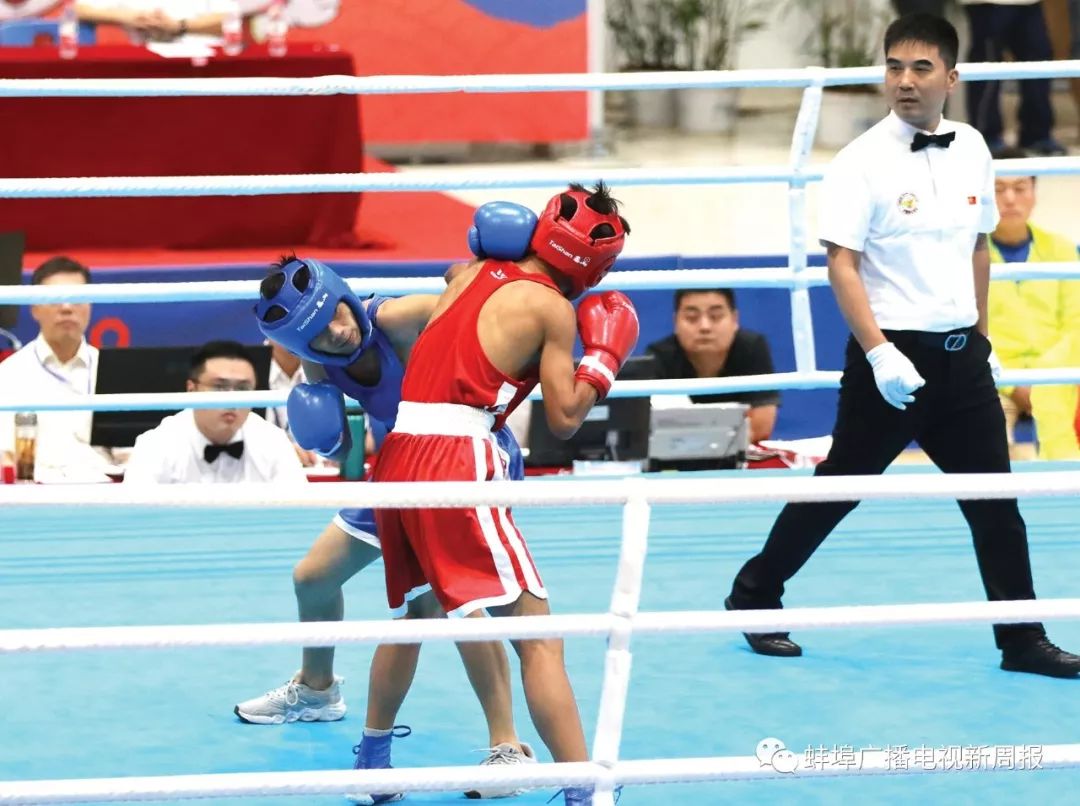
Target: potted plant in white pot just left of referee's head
[{"x": 846, "y": 34}]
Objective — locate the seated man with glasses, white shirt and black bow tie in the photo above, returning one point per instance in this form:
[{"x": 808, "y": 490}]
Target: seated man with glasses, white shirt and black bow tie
[{"x": 207, "y": 446}]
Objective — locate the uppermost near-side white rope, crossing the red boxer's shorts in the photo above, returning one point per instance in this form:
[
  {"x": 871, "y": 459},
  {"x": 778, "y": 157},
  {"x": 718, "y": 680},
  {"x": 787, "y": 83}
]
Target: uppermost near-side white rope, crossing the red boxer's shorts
[{"x": 552, "y": 493}]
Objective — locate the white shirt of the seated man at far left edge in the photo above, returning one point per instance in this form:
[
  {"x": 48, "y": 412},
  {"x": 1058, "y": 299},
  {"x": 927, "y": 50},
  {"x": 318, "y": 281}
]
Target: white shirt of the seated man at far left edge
[{"x": 63, "y": 450}]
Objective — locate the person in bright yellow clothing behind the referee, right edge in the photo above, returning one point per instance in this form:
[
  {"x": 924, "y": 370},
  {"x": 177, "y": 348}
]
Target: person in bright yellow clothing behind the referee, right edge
[{"x": 1035, "y": 324}]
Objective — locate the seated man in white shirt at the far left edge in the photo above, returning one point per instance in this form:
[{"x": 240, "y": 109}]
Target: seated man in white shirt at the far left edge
[{"x": 59, "y": 366}]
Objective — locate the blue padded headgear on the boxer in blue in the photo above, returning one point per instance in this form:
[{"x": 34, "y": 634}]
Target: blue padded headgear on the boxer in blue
[{"x": 303, "y": 308}]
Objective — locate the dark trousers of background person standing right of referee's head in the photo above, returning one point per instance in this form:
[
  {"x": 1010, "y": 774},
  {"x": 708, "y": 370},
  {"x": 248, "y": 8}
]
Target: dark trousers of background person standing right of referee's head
[{"x": 1022, "y": 32}]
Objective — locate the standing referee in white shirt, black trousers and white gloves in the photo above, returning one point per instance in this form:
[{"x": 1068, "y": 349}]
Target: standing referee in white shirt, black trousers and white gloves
[{"x": 906, "y": 210}]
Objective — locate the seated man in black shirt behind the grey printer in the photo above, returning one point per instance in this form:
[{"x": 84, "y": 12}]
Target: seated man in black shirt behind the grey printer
[{"x": 709, "y": 343}]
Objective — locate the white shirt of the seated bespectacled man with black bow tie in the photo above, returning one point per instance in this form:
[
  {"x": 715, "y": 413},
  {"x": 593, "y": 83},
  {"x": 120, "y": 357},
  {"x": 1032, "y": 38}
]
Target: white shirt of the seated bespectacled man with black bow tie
[{"x": 173, "y": 454}]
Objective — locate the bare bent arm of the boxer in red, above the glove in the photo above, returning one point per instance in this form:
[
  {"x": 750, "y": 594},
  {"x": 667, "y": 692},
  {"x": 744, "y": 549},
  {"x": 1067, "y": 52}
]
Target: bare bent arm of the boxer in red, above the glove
[{"x": 566, "y": 400}]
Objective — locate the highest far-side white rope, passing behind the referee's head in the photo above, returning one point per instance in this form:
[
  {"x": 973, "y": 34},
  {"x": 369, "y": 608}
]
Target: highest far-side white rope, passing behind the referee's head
[{"x": 535, "y": 83}]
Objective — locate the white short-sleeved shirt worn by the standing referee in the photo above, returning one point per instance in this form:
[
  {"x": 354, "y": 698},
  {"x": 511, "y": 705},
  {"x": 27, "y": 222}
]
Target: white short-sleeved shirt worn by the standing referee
[{"x": 914, "y": 217}]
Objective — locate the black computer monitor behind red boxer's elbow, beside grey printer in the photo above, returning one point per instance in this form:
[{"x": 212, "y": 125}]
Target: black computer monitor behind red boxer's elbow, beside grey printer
[{"x": 616, "y": 429}]
